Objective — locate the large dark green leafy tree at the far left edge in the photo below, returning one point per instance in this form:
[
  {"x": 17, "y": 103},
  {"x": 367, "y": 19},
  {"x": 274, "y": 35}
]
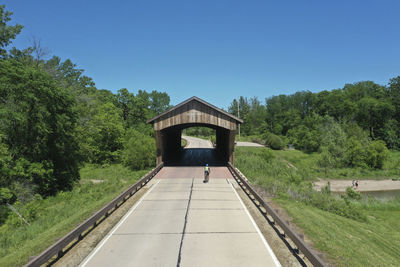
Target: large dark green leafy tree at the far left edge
[{"x": 38, "y": 125}]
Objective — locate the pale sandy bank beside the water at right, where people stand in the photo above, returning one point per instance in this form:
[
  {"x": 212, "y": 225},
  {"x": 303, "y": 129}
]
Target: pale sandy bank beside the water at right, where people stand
[{"x": 363, "y": 185}]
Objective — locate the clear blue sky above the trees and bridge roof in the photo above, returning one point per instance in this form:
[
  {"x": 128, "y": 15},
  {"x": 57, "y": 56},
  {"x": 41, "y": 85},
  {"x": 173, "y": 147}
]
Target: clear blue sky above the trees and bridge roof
[{"x": 218, "y": 50}]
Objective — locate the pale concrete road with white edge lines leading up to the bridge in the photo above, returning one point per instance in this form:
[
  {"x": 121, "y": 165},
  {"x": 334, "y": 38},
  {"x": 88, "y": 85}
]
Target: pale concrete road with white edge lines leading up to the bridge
[{"x": 181, "y": 221}]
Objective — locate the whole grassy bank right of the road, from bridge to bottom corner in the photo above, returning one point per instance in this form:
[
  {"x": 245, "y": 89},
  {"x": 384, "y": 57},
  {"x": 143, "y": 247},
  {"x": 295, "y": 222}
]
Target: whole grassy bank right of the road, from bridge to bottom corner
[{"x": 371, "y": 238}]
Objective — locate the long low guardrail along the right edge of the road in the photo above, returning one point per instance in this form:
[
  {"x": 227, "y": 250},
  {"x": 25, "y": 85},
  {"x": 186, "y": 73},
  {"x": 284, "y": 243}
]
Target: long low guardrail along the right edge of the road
[{"x": 265, "y": 208}]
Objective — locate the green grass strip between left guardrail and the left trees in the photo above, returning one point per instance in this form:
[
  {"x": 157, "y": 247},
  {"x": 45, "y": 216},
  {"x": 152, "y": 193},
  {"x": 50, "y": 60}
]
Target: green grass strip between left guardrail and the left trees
[{"x": 56, "y": 216}]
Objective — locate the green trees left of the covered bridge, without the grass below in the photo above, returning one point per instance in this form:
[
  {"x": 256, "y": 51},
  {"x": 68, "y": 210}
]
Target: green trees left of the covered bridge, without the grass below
[{"x": 53, "y": 119}]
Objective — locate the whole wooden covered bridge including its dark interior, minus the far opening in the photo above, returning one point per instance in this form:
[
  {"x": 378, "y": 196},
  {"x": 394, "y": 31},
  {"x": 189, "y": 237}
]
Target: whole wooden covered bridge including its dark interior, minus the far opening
[{"x": 195, "y": 115}]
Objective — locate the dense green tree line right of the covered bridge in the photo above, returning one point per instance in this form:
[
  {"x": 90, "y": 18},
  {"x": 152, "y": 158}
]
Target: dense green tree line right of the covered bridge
[{"x": 351, "y": 126}]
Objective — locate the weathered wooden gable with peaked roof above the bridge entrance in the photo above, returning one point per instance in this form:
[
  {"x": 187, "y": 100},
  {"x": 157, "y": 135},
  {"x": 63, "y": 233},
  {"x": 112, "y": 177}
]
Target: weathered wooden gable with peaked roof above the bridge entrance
[{"x": 195, "y": 111}]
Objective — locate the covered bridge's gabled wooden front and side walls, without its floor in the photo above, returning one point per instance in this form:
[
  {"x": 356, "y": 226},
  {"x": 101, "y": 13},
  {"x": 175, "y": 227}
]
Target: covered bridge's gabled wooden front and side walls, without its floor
[{"x": 194, "y": 111}]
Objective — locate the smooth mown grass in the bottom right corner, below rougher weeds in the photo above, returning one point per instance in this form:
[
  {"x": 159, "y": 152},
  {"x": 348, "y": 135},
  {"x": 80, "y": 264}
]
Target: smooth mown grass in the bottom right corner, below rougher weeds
[{"x": 347, "y": 242}]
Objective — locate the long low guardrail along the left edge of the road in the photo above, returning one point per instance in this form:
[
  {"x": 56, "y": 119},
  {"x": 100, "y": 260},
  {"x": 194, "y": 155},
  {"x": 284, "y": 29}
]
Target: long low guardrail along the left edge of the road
[{"x": 77, "y": 233}]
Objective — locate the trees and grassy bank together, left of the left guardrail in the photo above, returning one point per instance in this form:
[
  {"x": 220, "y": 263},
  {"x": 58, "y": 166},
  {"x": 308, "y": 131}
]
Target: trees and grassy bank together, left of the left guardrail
[{"x": 66, "y": 147}]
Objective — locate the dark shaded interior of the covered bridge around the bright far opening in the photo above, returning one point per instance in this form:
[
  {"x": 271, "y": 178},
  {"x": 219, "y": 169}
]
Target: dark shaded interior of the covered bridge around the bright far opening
[{"x": 174, "y": 155}]
